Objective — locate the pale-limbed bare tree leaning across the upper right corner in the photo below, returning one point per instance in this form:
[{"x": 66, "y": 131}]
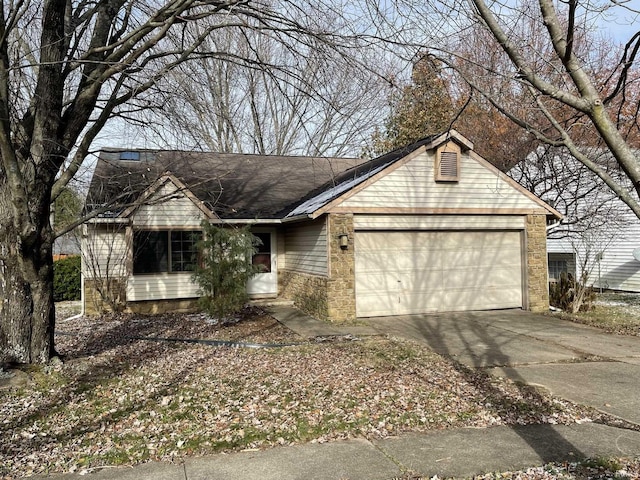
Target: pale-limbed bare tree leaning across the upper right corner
[{"x": 572, "y": 85}]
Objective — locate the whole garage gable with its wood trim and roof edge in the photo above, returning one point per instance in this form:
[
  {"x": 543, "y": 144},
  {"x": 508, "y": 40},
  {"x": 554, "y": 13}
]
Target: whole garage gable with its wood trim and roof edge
[{"x": 404, "y": 180}]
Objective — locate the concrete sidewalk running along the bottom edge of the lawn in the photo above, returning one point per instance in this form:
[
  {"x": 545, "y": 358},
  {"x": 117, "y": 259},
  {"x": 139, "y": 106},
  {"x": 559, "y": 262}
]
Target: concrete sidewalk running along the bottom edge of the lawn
[{"x": 457, "y": 453}]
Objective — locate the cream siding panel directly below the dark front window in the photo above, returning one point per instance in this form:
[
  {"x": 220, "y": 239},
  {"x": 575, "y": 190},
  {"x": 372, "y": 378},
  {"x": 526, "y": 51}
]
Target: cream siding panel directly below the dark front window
[{"x": 161, "y": 286}]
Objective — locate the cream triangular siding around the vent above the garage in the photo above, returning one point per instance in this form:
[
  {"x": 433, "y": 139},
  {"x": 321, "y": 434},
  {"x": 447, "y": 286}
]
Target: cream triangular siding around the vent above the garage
[{"x": 413, "y": 186}]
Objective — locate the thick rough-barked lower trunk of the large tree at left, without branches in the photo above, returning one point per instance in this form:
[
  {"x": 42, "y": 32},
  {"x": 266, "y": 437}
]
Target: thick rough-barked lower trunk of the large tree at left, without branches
[{"x": 27, "y": 315}]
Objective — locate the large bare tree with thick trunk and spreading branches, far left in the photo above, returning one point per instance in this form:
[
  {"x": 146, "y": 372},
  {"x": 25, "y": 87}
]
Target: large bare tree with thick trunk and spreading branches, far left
[{"x": 68, "y": 67}]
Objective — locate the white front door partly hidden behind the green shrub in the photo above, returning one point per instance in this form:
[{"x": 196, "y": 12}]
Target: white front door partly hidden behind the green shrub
[{"x": 264, "y": 284}]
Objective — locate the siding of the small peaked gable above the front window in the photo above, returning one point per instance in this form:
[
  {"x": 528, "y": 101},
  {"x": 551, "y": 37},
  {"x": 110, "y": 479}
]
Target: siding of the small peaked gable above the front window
[{"x": 168, "y": 208}]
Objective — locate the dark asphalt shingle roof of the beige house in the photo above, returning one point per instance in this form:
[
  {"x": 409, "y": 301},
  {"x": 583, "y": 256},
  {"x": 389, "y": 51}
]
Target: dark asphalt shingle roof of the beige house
[{"x": 237, "y": 186}]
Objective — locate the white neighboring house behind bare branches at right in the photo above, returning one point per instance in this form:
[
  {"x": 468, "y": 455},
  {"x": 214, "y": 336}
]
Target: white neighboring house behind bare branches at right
[{"x": 598, "y": 235}]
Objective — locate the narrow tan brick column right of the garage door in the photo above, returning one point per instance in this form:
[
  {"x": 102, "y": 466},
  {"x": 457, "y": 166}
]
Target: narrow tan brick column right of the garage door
[{"x": 537, "y": 269}]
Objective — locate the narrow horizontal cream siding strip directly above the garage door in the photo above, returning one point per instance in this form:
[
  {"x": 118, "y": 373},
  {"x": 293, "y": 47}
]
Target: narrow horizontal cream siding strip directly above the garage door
[{"x": 439, "y": 222}]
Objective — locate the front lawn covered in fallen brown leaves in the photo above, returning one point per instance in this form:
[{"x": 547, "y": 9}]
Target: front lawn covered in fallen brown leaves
[{"x": 120, "y": 400}]
